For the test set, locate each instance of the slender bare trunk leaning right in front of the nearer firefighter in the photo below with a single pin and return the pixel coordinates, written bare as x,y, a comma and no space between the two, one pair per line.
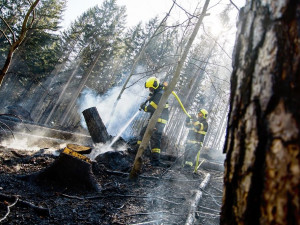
138,159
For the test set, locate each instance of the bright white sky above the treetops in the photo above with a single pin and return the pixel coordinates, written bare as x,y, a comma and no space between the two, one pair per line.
137,10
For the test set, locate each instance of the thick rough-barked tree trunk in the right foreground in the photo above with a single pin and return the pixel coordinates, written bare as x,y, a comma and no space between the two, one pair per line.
262,167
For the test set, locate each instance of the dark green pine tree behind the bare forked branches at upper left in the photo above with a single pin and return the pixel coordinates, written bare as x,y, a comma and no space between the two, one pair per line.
36,57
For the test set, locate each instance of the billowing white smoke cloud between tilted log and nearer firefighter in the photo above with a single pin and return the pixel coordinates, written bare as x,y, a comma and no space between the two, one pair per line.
127,106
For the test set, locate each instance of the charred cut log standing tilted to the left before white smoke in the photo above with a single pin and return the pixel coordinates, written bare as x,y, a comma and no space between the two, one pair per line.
95,125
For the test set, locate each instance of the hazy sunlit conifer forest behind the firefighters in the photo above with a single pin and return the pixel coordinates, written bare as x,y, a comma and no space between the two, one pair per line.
55,74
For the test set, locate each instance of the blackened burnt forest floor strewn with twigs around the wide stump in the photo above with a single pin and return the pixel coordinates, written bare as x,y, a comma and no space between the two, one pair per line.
161,195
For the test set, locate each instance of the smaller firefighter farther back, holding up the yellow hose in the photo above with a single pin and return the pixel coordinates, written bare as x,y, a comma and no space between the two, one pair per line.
197,130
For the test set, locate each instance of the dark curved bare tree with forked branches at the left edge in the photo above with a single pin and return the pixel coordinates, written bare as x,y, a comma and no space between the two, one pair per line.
15,41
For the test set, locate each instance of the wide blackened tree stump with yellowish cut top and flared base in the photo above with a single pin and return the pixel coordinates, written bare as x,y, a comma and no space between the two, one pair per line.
70,170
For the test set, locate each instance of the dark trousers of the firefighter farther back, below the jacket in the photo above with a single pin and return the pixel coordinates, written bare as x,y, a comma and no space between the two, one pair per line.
191,155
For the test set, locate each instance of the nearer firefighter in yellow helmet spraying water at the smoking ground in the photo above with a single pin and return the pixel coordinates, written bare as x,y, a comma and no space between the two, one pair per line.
156,91
